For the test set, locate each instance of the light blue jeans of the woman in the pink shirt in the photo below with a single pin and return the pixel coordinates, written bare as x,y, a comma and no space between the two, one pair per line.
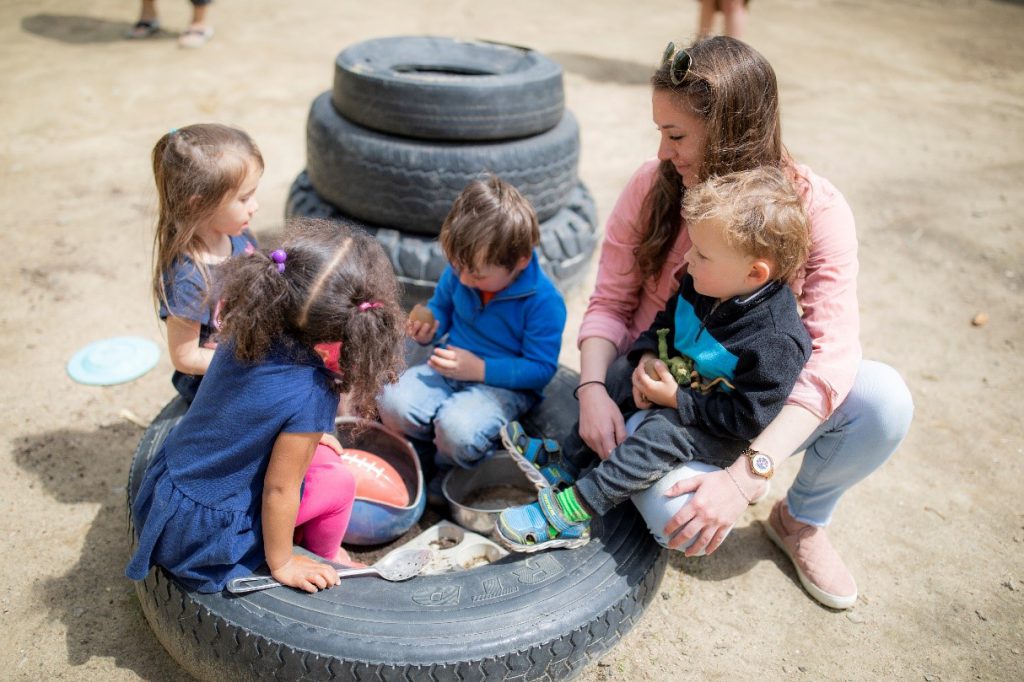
861,437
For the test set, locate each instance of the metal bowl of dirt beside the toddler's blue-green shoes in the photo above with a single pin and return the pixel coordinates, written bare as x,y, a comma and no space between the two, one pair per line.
478,496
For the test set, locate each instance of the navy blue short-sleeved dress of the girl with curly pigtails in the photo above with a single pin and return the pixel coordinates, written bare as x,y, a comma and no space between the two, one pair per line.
198,509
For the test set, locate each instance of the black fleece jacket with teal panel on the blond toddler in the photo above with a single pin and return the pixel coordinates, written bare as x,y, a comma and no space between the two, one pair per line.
756,343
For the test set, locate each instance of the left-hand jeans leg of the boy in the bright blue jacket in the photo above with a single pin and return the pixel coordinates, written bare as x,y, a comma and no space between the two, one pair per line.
411,406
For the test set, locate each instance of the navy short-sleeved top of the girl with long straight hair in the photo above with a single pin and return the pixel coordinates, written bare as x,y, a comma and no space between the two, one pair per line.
189,300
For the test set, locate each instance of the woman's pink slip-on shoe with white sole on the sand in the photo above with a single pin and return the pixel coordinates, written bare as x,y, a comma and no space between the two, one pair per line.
820,567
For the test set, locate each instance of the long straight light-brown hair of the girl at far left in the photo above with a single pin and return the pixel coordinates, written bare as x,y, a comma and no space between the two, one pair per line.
195,168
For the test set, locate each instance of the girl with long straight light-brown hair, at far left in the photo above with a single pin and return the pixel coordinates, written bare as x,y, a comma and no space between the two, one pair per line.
206,179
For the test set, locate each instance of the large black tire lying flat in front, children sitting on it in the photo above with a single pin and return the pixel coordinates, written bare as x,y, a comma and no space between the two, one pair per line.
540,617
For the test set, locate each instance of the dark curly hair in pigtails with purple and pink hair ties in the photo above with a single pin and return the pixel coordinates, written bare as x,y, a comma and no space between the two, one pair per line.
330,270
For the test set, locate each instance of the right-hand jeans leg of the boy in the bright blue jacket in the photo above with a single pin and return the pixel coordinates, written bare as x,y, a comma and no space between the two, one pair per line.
467,425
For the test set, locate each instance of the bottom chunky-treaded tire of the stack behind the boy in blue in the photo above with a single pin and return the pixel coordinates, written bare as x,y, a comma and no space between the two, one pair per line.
568,241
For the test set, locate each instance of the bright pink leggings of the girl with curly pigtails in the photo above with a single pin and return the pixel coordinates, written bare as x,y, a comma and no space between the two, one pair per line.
327,504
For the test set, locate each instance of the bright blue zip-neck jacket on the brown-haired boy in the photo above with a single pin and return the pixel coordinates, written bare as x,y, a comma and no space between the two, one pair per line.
519,334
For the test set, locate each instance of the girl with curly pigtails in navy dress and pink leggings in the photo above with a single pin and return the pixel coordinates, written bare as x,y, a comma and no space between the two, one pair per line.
233,486
